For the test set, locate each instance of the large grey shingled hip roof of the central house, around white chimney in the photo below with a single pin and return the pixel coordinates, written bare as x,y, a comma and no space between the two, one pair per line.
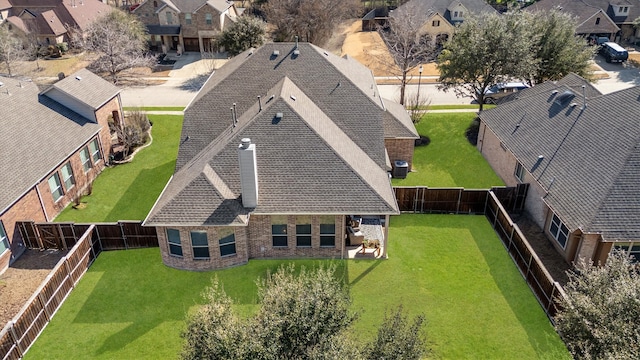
324,155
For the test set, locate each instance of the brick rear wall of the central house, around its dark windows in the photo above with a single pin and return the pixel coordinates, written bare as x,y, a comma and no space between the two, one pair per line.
252,241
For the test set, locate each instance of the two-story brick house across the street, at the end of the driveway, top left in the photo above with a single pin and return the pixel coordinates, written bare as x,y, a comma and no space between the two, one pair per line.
184,25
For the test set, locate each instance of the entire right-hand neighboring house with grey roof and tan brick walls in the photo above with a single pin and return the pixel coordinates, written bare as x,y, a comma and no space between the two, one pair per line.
580,153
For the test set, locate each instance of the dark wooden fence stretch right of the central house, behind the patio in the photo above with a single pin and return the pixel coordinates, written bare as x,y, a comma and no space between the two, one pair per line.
457,200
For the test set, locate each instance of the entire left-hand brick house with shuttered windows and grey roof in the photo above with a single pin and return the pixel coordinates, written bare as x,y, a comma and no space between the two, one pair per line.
54,146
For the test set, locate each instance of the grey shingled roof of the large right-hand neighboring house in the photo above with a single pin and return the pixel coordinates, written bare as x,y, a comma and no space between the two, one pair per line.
590,166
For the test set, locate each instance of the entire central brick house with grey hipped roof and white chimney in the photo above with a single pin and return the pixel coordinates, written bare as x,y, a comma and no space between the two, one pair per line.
278,148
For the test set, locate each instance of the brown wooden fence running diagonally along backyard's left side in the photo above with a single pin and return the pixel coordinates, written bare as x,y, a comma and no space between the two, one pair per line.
19,333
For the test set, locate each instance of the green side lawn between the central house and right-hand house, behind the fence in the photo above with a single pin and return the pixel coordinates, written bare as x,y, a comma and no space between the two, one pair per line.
449,160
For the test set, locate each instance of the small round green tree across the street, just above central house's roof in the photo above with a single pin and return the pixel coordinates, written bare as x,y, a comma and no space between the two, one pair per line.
245,33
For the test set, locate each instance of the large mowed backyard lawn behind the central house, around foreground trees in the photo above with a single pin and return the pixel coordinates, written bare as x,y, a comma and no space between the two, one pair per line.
451,268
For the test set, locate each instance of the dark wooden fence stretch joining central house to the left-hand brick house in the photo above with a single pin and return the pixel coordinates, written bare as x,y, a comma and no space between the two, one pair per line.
107,236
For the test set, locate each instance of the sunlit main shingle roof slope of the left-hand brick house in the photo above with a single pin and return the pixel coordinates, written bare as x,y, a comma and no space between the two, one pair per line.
38,134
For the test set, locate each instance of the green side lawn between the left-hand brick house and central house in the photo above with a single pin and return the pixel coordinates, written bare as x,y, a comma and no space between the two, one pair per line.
128,191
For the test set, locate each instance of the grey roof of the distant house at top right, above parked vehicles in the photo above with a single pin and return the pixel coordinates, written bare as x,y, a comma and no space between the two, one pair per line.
586,12
